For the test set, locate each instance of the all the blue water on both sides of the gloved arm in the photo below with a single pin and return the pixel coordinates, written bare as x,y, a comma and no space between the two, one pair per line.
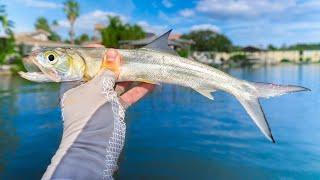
175,133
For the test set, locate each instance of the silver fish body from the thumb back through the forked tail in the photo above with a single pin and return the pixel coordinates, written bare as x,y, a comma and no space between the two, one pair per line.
157,67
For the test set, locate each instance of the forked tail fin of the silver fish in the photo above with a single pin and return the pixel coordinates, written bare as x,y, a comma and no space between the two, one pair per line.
262,90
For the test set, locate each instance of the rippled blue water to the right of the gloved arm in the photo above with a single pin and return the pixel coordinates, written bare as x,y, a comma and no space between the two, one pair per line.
186,131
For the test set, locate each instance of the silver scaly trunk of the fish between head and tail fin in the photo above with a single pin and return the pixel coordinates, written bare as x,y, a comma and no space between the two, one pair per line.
152,66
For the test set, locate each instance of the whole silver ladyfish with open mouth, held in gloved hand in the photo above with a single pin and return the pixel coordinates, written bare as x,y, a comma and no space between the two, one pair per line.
155,63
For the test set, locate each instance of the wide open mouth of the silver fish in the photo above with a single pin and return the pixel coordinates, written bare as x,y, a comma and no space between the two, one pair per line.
36,72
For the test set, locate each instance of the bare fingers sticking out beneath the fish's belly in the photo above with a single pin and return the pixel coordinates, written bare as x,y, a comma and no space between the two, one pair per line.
136,93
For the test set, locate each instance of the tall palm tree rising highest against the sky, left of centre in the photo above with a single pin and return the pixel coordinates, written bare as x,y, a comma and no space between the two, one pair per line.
71,8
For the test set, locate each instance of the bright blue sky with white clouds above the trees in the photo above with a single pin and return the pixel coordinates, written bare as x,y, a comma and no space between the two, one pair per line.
245,22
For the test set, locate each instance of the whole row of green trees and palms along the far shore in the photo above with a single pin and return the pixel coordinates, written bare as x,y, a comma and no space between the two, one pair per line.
116,30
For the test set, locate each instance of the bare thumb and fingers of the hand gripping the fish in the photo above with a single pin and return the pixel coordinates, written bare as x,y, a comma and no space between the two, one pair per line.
128,96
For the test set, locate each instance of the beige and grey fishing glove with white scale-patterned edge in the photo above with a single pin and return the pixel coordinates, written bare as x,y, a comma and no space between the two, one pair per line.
93,131
